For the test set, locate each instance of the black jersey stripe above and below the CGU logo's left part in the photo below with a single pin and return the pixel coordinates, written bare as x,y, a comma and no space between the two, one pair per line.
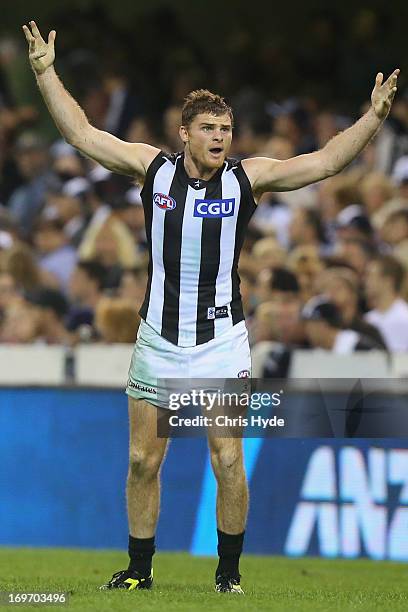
209,265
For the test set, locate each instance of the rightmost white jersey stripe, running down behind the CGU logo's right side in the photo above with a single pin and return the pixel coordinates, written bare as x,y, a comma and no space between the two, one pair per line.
223,286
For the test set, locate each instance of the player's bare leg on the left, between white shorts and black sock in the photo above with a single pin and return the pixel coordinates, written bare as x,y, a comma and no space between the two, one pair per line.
146,454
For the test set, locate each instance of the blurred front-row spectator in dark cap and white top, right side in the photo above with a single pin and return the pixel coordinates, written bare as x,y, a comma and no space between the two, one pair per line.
324,329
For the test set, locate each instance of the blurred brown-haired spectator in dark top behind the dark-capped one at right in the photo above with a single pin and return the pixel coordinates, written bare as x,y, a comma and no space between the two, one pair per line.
341,287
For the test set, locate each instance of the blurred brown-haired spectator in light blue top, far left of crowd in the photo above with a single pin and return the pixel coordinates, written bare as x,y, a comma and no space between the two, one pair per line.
56,256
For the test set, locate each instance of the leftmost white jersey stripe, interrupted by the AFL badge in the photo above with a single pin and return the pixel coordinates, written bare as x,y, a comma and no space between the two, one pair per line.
162,183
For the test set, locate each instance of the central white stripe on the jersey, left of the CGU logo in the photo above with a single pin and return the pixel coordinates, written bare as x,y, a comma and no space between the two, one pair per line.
190,269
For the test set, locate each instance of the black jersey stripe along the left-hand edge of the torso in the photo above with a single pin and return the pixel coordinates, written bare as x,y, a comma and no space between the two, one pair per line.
147,199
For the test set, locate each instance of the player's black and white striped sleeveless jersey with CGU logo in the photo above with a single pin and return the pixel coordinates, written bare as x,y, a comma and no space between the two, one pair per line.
195,230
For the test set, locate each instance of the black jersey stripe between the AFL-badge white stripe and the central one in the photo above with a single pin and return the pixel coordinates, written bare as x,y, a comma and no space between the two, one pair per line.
173,227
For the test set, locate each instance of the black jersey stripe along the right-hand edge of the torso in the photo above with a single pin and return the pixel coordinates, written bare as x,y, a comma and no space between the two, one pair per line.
244,215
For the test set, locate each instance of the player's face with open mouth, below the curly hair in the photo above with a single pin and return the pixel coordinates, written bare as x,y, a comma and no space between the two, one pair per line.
208,138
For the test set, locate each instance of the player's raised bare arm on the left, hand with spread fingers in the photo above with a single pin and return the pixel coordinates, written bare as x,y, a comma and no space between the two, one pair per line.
132,159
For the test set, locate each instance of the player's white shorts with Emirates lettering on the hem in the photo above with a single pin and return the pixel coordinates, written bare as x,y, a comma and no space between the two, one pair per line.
155,359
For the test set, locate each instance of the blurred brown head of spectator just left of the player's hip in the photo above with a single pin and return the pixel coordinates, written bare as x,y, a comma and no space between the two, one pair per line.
116,320
